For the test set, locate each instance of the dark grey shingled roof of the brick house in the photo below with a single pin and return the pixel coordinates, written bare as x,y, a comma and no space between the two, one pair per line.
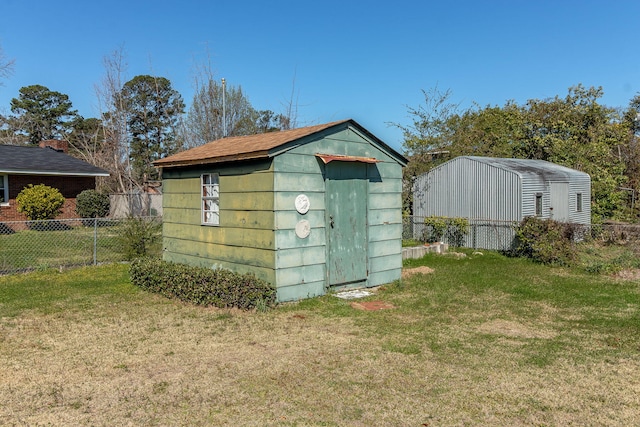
20,159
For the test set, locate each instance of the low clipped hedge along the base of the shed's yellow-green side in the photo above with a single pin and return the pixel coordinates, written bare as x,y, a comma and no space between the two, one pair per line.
202,286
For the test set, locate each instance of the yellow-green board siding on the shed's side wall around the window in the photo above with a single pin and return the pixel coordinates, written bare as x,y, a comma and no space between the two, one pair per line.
244,240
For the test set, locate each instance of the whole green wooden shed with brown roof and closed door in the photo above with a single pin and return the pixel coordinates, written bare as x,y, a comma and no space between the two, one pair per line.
308,209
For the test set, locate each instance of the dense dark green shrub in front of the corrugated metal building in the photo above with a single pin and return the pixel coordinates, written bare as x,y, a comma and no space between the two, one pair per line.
545,241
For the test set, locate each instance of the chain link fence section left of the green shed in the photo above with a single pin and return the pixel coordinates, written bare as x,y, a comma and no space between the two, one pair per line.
34,245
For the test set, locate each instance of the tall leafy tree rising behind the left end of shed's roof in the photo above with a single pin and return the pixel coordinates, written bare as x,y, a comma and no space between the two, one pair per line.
153,111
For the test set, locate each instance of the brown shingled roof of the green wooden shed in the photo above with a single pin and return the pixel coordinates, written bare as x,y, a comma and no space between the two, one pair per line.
255,146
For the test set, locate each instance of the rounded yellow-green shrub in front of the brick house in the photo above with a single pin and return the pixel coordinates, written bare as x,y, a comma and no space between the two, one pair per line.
39,202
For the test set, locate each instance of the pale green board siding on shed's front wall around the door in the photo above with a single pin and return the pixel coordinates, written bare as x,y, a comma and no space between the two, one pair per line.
301,263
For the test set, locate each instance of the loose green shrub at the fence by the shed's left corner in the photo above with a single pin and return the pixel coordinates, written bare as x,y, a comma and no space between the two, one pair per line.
140,237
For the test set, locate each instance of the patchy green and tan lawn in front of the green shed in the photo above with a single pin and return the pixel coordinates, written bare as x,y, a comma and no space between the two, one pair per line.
480,340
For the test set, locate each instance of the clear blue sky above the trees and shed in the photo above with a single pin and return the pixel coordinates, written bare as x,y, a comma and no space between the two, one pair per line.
350,59
